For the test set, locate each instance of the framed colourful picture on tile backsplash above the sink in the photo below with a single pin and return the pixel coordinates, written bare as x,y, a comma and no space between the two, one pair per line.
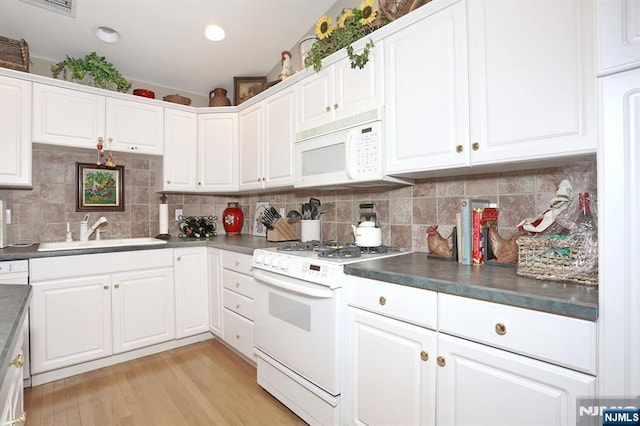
100,188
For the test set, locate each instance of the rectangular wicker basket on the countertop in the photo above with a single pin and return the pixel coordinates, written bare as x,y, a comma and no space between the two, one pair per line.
558,258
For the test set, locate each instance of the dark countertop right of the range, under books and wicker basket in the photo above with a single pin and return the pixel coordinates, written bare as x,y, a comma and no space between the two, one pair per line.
491,283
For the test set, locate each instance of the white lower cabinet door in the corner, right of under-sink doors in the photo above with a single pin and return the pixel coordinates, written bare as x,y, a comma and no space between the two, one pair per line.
192,293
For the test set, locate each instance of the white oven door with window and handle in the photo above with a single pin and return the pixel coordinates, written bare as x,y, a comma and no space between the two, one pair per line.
297,323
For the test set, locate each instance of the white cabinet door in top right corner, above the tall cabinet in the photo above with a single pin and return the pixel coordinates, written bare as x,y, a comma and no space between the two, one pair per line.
618,35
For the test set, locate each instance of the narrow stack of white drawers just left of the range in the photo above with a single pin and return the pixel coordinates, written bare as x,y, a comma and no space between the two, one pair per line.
237,297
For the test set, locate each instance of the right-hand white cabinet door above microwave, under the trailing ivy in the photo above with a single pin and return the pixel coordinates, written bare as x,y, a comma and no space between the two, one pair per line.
359,89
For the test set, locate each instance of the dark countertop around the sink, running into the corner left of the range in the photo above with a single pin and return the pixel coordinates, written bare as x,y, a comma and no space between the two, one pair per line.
243,243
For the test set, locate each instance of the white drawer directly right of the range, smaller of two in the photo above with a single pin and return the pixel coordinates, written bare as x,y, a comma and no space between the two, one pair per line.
408,304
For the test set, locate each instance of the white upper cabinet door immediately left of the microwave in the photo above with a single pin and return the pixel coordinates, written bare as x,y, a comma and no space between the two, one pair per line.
279,122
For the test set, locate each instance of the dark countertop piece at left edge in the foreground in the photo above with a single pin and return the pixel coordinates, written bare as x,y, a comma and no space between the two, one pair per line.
14,303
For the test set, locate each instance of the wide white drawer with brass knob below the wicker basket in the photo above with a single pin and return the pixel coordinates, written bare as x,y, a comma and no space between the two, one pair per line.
558,339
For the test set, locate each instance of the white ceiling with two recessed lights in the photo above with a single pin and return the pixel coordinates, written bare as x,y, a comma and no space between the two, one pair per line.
162,41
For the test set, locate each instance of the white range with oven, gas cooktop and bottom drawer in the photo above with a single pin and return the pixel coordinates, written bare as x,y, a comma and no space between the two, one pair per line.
299,323
